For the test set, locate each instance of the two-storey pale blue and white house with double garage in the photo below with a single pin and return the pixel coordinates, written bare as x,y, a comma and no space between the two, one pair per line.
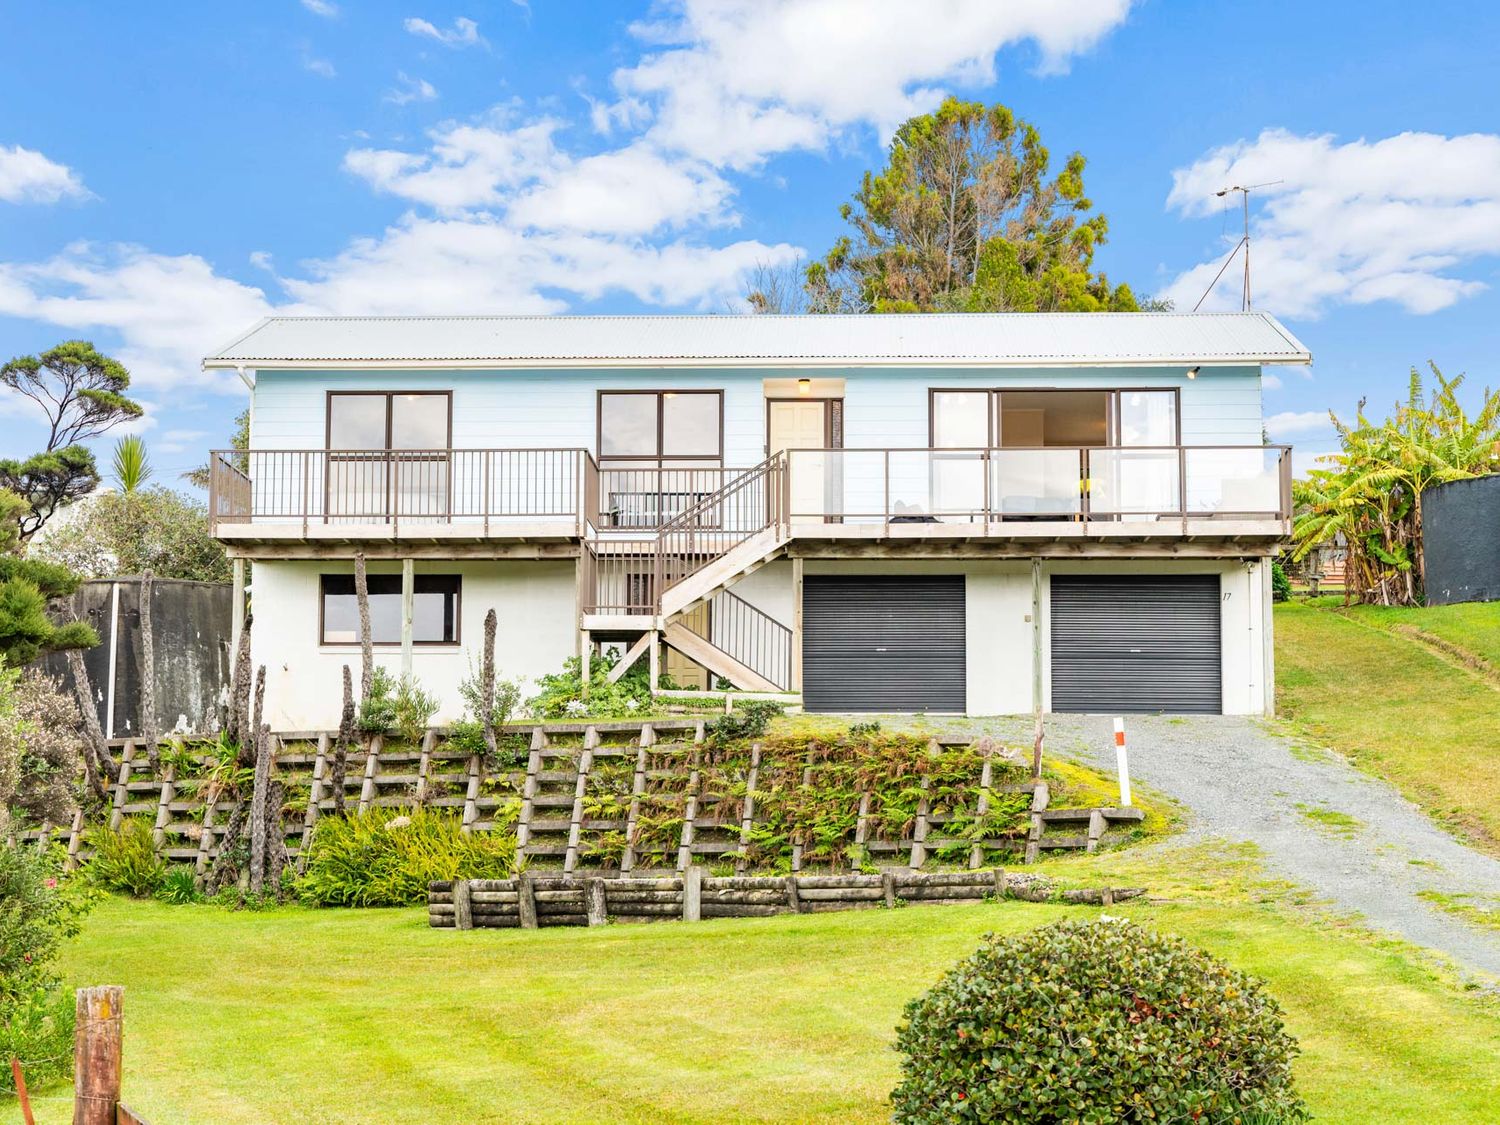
955,514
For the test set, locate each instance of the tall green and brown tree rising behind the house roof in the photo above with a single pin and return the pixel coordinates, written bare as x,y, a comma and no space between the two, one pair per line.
965,217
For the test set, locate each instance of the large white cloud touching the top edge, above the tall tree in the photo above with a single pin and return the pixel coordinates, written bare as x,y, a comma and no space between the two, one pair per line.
733,82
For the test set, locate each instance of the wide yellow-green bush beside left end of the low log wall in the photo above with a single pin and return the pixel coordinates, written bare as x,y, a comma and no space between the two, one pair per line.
376,862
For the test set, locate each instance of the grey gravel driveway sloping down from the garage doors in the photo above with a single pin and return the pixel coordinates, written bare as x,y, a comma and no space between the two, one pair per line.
1241,781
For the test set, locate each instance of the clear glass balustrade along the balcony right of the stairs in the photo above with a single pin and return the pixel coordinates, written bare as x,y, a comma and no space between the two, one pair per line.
1034,485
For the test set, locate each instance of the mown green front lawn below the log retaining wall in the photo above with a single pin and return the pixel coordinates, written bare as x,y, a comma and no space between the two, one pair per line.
368,1015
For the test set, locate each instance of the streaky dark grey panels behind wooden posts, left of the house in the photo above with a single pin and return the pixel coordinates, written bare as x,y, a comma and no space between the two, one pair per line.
191,623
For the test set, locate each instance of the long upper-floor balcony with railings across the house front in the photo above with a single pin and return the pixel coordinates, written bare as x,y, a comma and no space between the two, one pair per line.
563,496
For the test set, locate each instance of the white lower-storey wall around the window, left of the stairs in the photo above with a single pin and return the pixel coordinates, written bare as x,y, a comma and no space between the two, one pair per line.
536,605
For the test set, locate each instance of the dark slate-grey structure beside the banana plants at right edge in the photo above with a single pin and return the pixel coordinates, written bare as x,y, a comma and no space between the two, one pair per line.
1462,541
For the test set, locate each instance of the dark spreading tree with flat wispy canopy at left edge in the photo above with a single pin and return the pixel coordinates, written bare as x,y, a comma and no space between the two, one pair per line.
82,392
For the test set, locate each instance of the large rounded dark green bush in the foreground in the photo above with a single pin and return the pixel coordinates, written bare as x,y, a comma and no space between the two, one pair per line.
1096,1022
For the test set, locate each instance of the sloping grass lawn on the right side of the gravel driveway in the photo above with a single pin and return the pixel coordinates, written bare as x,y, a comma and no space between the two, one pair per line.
1354,682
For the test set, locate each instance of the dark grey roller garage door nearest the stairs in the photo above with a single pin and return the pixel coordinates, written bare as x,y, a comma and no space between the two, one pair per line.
884,644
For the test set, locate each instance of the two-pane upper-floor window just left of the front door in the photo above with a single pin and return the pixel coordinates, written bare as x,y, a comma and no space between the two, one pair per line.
667,428
